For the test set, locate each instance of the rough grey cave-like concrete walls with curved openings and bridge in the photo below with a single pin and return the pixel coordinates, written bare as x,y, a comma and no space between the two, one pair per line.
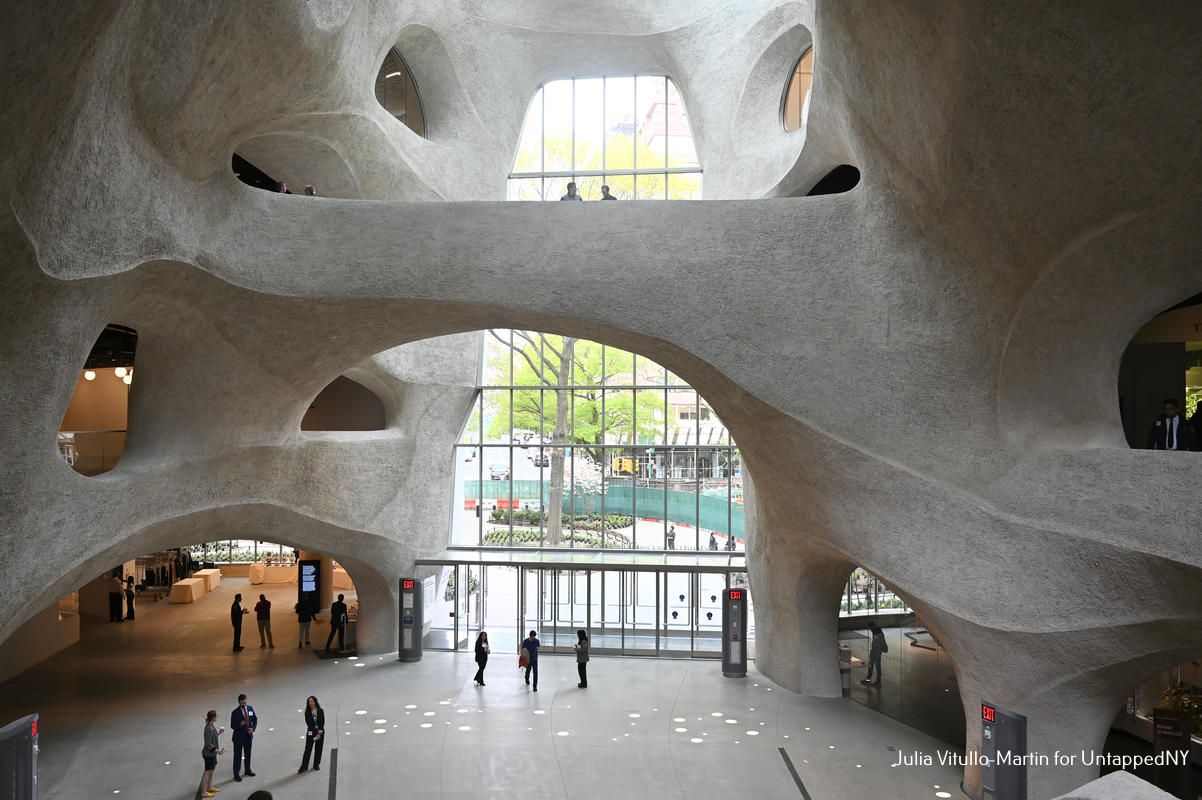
921,373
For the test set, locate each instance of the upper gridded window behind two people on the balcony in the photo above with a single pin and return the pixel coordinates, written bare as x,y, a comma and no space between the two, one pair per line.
629,133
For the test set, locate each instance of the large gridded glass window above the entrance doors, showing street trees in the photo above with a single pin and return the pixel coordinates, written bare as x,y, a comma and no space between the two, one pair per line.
579,445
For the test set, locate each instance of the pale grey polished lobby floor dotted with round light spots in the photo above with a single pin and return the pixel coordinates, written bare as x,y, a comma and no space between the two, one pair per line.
123,715
